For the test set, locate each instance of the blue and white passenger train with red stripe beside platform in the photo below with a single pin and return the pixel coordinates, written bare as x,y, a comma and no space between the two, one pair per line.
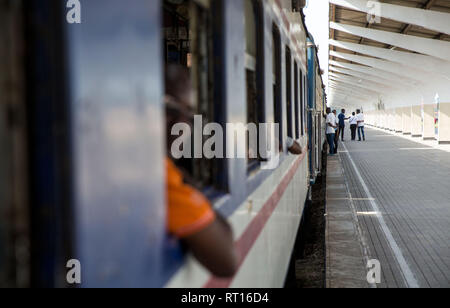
82,136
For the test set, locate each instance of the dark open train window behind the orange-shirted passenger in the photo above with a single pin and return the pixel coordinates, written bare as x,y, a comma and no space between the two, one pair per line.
188,42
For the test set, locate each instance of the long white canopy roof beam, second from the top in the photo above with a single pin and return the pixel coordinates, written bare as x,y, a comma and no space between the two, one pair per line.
435,48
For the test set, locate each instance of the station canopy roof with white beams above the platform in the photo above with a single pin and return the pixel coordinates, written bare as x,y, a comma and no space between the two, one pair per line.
352,35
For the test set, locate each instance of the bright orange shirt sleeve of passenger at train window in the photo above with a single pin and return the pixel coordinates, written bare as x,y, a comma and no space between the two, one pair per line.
188,210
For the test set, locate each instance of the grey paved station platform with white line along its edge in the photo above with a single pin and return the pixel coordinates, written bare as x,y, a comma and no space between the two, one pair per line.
392,195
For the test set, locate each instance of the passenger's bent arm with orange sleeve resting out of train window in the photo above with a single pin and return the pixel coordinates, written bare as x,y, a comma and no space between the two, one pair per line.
191,219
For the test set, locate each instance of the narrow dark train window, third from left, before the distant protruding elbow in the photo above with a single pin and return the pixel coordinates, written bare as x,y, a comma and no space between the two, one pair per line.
276,72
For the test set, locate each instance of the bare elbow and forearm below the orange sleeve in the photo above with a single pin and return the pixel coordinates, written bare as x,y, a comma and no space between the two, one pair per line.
213,247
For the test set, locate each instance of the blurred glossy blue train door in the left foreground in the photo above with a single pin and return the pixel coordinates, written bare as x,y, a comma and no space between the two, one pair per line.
115,78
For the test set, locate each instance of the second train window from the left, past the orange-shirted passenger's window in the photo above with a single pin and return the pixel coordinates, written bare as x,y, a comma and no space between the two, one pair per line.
254,75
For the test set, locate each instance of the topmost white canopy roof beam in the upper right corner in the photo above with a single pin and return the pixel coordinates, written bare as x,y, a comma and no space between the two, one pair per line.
436,21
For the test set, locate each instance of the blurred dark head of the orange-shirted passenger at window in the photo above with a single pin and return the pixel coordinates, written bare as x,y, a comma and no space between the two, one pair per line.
178,98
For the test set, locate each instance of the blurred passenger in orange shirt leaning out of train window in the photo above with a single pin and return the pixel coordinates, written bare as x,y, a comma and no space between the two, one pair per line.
190,216
